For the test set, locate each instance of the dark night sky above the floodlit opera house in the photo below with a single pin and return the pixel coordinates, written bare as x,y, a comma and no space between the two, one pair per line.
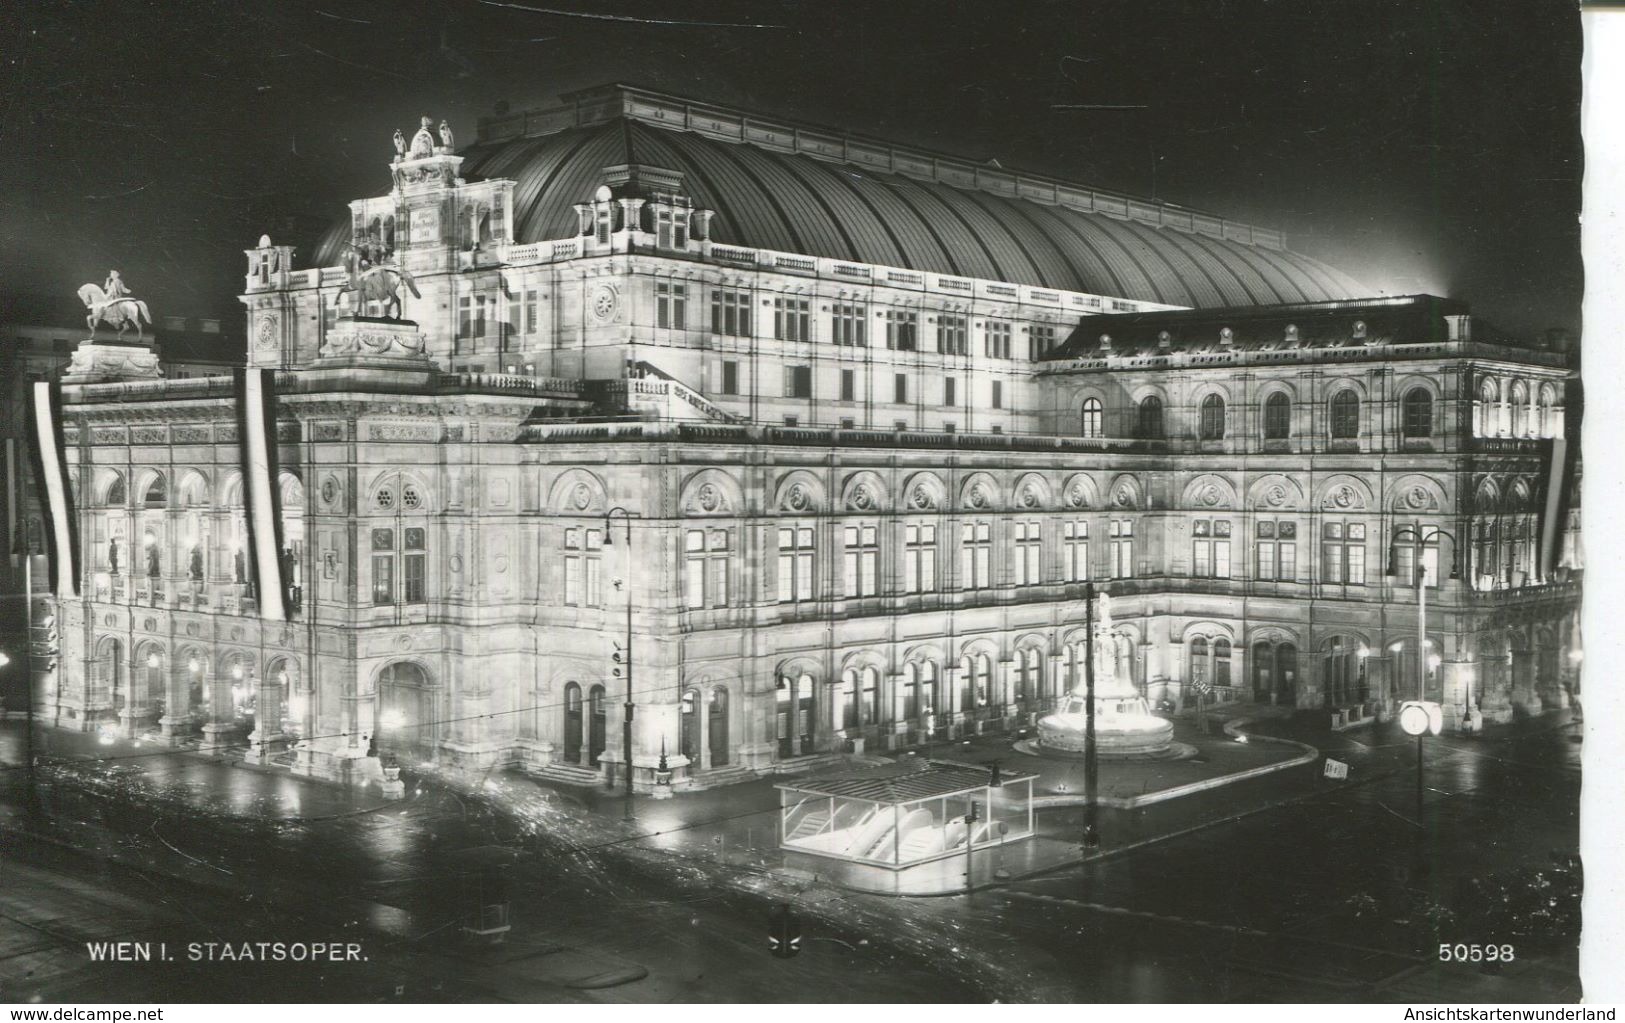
1418,145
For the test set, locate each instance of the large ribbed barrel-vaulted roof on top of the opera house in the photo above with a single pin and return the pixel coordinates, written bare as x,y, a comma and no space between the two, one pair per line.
810,191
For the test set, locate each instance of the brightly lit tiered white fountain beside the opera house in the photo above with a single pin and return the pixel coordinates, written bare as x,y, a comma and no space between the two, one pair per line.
1125,728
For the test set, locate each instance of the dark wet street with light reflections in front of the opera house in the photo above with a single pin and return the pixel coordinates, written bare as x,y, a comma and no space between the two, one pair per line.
1291,887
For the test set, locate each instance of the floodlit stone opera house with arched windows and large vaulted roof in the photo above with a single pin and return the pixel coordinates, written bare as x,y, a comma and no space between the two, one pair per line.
856,423
